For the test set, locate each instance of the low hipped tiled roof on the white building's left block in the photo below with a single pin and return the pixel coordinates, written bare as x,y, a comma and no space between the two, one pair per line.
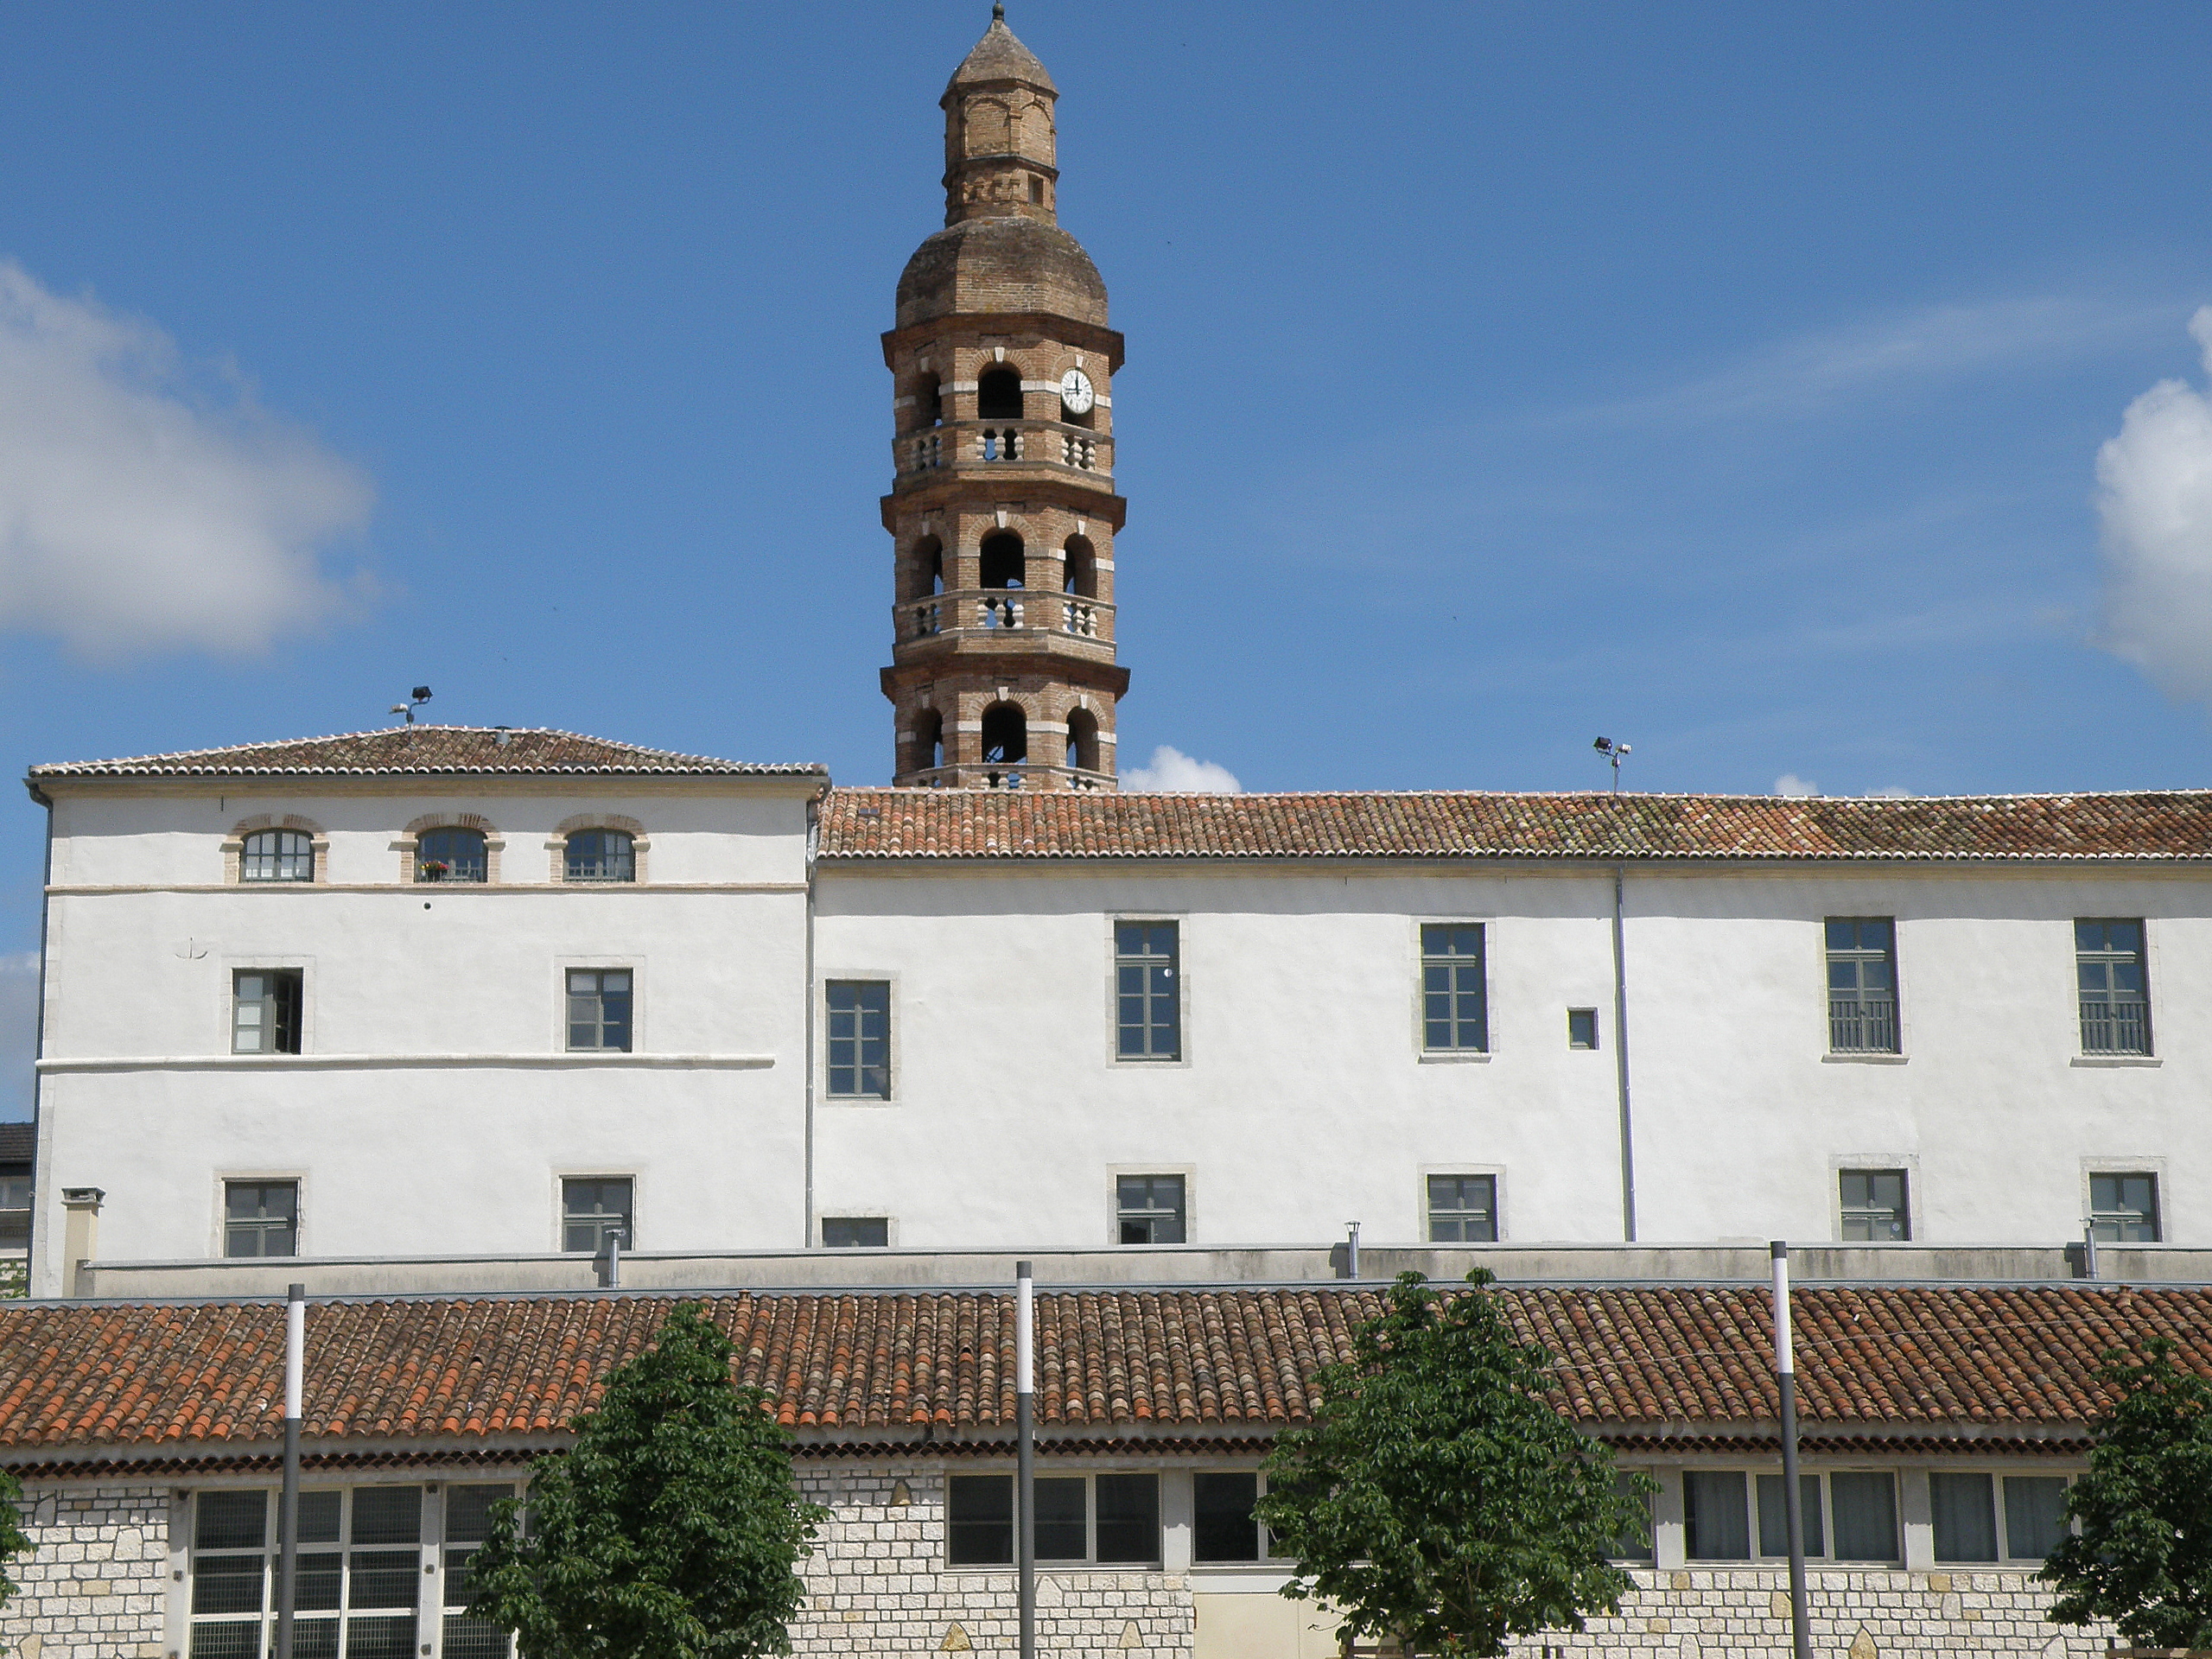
421,749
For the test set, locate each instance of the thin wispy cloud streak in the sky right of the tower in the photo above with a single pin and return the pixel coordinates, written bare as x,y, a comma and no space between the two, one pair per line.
1813,373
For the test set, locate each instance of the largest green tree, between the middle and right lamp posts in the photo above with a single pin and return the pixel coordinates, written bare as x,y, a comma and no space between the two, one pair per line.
1441,1499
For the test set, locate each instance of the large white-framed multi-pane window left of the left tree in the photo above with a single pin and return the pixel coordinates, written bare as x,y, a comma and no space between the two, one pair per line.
362,1572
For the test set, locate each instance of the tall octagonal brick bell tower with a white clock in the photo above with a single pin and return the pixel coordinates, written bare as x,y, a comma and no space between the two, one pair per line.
1003,508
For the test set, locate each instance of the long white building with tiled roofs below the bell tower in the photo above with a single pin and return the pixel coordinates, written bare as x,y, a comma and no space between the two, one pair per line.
477,994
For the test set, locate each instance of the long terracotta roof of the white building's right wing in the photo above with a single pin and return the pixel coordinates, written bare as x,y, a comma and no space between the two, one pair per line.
1008,824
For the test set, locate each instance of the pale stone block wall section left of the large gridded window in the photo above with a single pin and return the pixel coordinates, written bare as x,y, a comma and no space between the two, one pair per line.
96,1585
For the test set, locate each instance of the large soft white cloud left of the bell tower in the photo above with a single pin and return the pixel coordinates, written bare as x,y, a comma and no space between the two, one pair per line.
136,510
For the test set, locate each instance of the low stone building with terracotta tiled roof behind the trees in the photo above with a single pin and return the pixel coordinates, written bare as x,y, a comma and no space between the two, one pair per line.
1941,1428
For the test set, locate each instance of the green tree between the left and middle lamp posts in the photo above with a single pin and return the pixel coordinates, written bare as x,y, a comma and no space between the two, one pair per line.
669,1532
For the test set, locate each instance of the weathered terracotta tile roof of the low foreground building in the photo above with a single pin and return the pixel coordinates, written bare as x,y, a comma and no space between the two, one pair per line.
185,1381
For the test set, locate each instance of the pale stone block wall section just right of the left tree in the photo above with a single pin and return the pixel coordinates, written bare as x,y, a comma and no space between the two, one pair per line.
879,1585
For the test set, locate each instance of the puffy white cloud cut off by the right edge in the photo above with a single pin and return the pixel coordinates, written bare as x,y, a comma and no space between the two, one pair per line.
2156,499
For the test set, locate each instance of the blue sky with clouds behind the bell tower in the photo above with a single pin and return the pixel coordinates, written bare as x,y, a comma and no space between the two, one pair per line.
1802,393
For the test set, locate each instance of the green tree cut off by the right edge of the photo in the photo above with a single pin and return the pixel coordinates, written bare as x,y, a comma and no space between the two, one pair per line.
2145,1547
